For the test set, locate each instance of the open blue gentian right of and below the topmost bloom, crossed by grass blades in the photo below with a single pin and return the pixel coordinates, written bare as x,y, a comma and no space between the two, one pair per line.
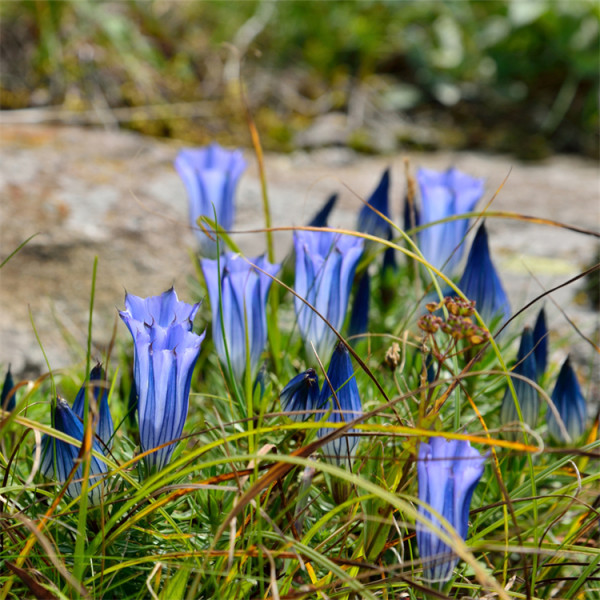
243,296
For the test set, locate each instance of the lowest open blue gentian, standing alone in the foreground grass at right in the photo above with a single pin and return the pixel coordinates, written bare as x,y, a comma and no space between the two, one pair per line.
448,472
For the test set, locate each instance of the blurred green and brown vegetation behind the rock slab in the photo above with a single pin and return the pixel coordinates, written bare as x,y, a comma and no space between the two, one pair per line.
518,76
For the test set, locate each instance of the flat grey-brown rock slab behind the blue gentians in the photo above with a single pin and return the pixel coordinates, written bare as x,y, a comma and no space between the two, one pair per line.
115,195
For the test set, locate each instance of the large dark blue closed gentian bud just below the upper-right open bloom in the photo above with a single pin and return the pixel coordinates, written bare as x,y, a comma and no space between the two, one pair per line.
480,282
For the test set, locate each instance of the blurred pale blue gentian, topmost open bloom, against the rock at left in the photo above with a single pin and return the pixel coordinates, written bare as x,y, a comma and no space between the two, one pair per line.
210,176
